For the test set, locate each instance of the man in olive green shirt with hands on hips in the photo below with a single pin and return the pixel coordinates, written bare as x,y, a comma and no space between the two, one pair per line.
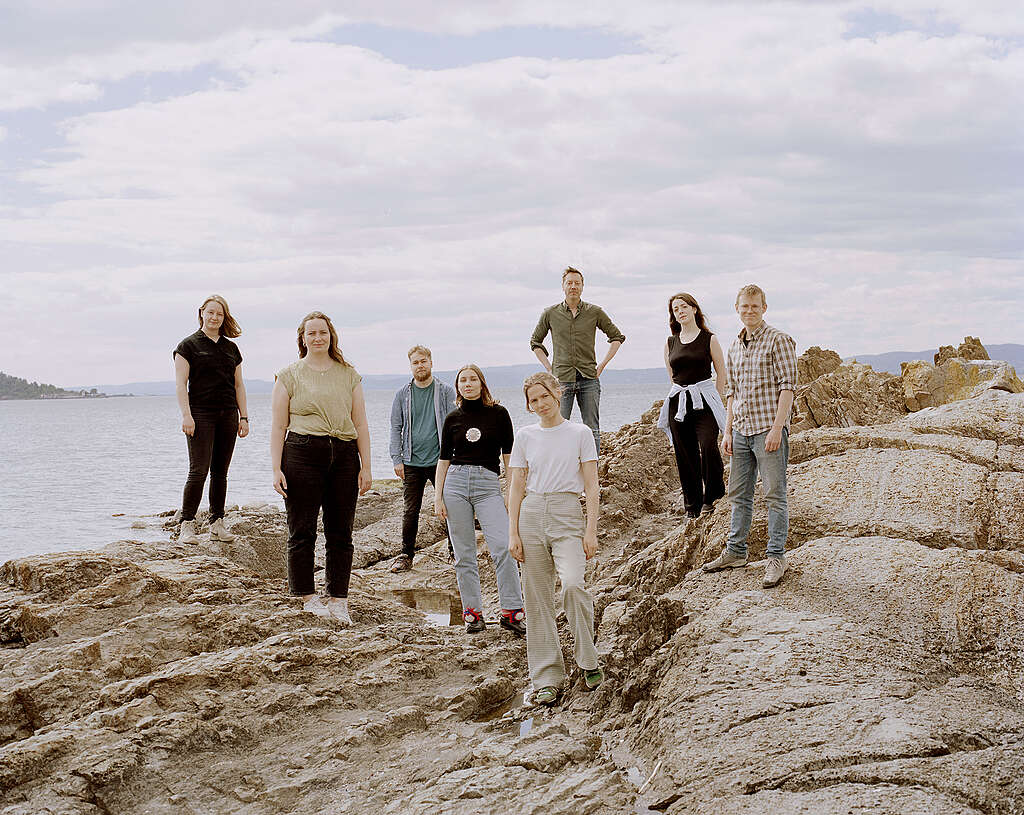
573,325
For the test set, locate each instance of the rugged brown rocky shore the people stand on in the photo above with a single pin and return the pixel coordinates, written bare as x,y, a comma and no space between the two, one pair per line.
884,675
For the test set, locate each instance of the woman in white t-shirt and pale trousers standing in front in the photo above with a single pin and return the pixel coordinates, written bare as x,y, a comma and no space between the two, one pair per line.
552,463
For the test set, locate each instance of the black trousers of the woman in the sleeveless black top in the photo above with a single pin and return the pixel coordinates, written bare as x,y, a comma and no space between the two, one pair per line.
698,457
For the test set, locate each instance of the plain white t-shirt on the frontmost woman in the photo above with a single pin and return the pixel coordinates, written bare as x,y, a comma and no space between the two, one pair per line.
554,456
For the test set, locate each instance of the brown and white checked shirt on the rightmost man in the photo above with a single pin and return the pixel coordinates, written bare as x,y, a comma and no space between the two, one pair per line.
759,371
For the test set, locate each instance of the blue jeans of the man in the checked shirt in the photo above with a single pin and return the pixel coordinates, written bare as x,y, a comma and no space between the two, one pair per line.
749,458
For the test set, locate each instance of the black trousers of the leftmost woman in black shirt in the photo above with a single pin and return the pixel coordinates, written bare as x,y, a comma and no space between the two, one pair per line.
210,450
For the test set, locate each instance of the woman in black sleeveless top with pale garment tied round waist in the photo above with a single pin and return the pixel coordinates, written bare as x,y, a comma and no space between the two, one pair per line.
691,354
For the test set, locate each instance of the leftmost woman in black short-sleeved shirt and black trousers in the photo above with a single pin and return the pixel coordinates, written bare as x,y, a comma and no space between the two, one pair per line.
212,400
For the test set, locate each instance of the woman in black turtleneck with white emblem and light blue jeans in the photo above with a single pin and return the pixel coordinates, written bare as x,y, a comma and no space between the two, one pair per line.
477,437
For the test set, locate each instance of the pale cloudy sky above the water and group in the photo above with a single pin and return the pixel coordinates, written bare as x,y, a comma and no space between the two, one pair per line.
423,173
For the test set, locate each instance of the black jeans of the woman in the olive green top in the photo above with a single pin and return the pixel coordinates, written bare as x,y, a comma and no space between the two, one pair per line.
321,471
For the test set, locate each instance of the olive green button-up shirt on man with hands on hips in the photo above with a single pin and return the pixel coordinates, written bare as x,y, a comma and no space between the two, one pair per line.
573,338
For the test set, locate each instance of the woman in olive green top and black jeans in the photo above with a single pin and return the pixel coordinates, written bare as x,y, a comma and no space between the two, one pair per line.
323,462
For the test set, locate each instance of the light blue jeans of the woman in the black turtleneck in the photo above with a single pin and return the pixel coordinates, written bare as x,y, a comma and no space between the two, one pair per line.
470,491
